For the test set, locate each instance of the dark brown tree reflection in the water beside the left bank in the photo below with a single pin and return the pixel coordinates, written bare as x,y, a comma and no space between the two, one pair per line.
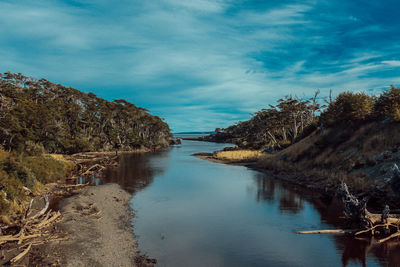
136,170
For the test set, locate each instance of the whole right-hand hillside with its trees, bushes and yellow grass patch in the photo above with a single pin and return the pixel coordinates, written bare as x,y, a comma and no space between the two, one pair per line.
355,139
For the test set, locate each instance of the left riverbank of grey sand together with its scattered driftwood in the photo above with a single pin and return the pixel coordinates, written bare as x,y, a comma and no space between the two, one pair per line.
91,225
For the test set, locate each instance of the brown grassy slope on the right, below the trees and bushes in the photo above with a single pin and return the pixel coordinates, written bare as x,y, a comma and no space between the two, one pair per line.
366,157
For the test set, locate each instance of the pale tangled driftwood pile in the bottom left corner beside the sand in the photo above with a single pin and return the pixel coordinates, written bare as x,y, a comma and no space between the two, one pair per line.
35,228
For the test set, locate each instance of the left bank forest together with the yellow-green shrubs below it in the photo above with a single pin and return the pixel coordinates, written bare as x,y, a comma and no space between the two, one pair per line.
39,117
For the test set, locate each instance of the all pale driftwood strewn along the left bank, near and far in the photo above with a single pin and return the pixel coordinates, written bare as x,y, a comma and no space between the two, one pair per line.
37,226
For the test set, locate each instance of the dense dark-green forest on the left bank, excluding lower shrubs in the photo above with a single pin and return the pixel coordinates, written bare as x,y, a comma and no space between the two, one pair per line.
40,114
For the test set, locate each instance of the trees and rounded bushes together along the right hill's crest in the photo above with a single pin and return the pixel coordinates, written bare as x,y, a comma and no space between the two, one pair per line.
293,118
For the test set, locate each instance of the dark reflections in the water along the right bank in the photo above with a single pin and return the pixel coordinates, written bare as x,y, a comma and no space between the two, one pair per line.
354,250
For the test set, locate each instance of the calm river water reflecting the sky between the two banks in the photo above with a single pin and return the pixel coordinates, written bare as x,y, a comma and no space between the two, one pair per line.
191,212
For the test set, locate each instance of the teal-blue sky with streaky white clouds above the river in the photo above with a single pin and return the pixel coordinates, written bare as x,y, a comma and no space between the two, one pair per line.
203,64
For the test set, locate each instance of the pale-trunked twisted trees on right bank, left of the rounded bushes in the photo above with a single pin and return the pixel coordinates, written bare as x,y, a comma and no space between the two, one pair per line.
276,126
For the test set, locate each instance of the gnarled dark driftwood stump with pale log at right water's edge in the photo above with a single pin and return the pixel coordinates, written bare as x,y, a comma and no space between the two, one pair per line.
363,222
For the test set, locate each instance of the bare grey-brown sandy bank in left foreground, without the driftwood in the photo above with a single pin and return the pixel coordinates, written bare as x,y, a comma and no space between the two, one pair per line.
97,225
